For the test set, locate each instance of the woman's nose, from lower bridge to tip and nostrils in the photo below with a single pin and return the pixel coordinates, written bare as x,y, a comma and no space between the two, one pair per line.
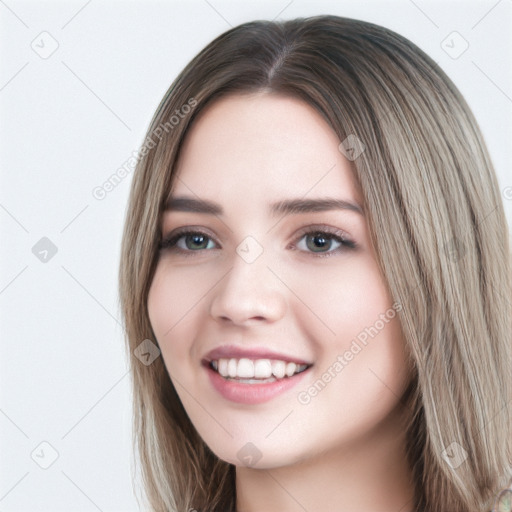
248,293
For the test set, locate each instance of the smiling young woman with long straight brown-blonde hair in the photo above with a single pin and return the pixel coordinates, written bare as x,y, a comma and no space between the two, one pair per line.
316,282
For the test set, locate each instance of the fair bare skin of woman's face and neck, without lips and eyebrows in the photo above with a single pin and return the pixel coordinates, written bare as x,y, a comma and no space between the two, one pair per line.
344,449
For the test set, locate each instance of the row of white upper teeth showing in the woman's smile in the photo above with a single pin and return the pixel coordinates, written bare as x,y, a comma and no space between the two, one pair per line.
262,369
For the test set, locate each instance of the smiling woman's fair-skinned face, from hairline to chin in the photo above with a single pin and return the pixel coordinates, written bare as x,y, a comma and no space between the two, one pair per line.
274,321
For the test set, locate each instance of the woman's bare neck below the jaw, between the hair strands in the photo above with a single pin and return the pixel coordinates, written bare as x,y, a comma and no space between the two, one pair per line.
370,474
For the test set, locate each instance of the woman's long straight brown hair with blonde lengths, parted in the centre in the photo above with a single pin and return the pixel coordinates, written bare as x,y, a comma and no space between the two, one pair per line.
435,218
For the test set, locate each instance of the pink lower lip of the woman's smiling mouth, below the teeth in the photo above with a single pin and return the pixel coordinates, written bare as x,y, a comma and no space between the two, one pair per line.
244,393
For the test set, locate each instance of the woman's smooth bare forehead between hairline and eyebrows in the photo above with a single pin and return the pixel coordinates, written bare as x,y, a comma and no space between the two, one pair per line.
259,147
